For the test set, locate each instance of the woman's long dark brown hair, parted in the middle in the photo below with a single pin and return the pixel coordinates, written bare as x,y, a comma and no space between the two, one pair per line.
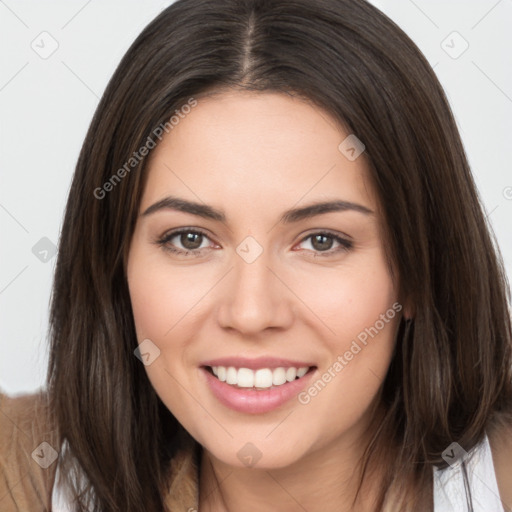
450,376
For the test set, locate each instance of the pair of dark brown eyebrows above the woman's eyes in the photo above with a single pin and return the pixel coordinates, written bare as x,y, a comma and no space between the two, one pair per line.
288,217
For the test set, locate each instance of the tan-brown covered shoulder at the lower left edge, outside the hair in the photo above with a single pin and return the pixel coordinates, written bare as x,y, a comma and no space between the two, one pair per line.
28,452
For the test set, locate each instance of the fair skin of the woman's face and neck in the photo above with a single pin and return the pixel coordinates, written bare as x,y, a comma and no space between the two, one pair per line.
255,155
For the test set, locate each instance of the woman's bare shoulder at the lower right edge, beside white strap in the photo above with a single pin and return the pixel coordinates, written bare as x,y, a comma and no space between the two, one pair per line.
500,440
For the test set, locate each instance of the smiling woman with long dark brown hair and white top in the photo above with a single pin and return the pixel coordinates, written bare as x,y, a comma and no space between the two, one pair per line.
275,289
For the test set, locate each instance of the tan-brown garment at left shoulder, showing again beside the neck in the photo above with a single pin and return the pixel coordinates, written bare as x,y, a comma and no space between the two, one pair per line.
26,485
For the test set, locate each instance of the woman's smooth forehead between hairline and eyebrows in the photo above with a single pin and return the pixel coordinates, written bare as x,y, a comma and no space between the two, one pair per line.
256,149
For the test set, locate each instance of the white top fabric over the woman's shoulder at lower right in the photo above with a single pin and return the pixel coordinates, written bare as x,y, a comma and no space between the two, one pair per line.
449,491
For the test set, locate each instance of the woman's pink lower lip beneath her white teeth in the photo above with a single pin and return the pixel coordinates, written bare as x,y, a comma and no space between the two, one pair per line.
253,401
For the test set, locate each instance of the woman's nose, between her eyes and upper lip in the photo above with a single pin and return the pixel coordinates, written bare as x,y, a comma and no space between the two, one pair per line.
255,297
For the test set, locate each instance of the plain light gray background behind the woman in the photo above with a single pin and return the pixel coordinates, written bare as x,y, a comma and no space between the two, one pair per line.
46,105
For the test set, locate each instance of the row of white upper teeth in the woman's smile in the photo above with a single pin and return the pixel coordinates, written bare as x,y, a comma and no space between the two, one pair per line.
263,378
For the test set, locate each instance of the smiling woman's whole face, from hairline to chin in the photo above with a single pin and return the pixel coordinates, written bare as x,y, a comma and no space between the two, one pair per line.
239,286
